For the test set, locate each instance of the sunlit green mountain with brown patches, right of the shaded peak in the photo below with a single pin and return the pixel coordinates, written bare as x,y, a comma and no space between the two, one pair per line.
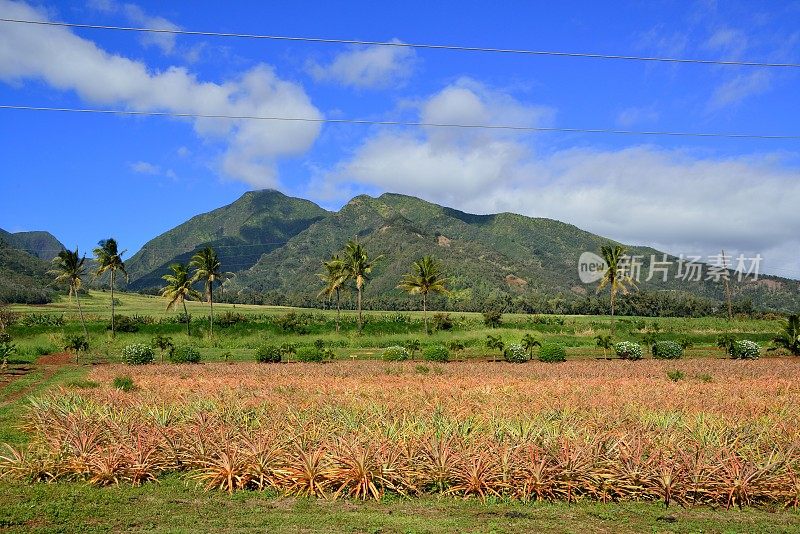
505,260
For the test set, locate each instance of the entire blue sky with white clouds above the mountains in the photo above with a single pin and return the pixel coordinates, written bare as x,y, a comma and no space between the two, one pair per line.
86,177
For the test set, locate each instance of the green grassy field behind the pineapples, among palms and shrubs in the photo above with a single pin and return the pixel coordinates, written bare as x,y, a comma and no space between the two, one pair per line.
261,324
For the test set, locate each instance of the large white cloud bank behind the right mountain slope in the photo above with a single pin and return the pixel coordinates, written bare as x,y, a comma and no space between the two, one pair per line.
676,200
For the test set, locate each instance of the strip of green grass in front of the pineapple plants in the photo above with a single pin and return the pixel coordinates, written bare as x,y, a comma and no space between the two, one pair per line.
173,506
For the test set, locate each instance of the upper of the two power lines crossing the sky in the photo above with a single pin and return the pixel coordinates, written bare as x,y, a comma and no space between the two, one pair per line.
408,45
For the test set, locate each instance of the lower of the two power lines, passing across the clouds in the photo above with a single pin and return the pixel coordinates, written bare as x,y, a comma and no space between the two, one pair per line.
403,123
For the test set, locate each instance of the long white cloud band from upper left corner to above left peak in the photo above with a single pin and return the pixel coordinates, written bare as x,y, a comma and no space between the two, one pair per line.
68,62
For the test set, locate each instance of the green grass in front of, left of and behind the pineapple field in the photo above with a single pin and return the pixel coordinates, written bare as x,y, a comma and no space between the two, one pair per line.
174,505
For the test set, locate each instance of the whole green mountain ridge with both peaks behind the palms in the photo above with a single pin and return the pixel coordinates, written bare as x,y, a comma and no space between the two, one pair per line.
276,243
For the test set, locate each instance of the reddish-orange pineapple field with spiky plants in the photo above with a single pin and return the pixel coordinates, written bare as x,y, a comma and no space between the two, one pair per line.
725,434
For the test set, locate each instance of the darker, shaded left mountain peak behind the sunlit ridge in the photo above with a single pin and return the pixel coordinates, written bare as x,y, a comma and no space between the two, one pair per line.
241,232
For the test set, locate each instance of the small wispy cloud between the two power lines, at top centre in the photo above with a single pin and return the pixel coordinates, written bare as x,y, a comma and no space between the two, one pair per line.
367,67
